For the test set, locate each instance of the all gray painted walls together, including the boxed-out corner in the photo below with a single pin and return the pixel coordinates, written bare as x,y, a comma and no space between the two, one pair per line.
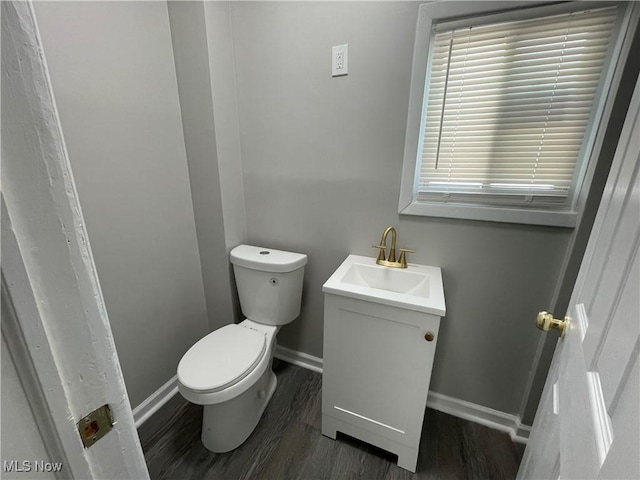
279,154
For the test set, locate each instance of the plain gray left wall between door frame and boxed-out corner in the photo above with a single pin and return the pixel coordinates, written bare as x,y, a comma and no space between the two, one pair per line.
114,80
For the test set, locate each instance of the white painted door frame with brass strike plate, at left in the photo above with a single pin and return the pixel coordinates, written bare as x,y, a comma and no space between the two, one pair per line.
54,323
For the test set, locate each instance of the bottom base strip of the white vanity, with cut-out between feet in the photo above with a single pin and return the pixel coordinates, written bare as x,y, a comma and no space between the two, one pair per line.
407,455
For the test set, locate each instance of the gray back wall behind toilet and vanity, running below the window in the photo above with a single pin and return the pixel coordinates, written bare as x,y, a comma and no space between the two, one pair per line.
322,159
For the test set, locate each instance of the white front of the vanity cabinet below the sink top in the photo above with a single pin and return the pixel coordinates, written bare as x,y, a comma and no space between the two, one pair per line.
376,373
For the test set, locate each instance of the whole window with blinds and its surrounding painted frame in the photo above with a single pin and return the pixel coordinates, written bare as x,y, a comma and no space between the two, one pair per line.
510,106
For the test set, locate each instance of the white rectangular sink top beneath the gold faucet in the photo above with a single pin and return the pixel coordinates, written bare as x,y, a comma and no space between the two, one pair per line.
417,287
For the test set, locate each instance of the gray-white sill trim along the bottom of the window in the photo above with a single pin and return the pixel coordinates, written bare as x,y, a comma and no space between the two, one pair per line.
526,216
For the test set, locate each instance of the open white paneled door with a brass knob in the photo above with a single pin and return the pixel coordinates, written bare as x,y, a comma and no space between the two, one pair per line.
588,423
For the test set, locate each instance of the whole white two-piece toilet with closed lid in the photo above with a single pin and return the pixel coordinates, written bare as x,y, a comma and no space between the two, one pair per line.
229,371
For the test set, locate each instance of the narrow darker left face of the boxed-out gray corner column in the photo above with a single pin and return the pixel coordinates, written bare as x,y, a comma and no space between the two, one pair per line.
189,39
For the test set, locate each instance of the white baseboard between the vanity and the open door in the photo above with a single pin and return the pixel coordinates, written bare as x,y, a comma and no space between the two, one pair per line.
488,417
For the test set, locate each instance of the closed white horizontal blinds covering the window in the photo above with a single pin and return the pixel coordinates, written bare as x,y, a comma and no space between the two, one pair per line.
508,105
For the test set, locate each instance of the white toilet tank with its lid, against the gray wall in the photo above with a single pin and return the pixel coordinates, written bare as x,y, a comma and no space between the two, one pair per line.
269,283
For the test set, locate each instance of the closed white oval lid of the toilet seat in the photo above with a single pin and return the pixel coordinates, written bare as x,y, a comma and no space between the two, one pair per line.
222,358
